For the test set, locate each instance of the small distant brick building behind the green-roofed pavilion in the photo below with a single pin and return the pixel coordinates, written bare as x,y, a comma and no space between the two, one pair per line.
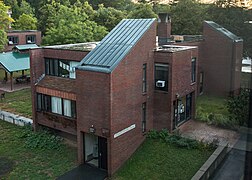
22,37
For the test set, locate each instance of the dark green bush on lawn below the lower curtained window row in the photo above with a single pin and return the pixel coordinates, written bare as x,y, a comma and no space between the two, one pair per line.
41,140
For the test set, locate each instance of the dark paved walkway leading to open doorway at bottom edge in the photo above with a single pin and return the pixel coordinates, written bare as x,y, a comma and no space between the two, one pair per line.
84,172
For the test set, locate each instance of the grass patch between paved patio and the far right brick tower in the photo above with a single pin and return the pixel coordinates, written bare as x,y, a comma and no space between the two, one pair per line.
212,104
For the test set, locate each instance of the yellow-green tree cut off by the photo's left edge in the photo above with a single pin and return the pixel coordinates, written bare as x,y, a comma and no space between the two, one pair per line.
5,21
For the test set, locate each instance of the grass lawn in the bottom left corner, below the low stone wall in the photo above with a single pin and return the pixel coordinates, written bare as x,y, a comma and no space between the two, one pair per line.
26,163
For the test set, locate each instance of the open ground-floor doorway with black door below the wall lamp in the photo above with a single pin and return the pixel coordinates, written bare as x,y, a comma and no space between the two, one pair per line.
95,150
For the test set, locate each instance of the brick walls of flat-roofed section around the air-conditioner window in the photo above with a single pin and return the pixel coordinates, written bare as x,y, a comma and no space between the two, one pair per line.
179,83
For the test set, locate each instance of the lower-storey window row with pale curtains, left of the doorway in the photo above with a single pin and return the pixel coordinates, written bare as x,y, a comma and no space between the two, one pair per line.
56,105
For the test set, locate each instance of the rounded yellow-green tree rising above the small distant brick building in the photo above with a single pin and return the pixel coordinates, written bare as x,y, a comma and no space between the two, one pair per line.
25,22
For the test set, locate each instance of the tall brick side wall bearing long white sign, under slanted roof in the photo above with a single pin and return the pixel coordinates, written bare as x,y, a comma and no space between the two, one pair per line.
127,99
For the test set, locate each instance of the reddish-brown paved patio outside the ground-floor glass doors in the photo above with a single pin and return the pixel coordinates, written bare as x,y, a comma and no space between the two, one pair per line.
202,131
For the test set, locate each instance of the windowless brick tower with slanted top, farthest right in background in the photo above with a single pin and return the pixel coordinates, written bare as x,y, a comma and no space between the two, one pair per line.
219,57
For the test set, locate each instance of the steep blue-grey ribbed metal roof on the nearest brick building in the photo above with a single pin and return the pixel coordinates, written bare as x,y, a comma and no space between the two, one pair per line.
116,45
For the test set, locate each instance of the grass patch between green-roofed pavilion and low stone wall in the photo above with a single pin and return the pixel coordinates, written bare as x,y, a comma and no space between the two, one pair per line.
18,102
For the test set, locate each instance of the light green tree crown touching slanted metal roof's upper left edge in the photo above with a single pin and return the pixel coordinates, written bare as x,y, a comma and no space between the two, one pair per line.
108,17
